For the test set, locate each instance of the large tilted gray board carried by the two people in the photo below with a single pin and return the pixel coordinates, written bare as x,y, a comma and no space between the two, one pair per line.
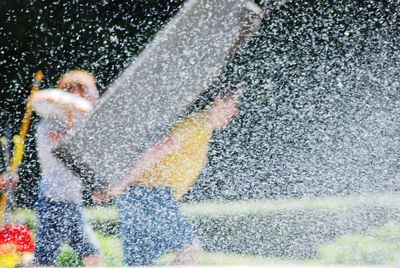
147,98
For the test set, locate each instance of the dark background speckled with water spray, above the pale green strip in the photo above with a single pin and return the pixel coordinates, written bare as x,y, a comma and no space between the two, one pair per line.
319,112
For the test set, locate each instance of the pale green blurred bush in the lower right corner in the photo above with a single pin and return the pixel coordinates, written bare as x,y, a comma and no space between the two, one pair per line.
377,246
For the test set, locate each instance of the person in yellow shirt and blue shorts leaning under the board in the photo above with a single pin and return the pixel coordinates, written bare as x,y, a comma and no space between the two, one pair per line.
151,221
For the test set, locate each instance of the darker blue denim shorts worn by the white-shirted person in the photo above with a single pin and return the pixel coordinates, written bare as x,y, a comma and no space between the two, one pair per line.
62,222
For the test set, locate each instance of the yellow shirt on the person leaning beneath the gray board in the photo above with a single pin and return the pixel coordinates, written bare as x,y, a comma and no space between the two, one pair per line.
179,168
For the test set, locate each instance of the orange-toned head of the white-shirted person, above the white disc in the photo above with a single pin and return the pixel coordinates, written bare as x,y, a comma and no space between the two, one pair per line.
81,83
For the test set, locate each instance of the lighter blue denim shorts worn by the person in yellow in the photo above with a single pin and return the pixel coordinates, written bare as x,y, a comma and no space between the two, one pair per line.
151,225
